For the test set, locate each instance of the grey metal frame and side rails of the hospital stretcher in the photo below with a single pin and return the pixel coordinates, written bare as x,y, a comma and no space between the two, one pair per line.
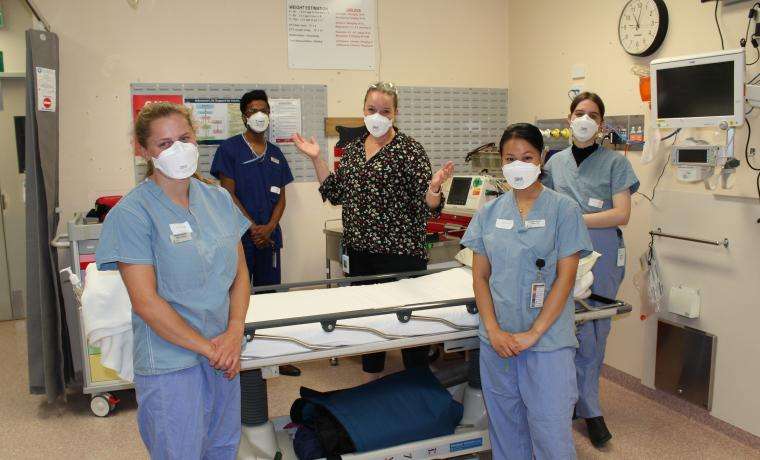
466,440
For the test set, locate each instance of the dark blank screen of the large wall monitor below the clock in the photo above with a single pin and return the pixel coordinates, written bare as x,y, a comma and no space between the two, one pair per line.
705,90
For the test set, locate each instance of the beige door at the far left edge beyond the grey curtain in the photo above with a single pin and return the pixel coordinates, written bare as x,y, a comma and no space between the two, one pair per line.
12,203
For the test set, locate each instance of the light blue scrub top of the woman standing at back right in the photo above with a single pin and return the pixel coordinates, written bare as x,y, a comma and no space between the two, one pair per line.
592,184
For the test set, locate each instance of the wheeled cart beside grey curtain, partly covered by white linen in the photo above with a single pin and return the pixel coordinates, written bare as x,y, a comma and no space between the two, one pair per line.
97,380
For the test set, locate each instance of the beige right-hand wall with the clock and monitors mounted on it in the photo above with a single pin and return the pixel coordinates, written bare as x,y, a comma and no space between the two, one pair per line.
544,44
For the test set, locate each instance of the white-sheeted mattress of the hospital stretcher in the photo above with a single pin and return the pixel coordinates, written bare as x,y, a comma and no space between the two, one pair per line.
443,286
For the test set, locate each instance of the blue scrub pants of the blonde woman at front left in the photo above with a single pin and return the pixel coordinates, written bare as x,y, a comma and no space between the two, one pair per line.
193,413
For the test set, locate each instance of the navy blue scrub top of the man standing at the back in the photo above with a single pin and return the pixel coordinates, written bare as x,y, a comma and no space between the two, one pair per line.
258,180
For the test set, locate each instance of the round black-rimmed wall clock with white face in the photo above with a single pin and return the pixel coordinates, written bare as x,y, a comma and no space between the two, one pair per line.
642,26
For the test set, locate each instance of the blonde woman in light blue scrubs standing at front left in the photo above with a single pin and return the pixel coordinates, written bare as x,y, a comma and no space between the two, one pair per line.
175,239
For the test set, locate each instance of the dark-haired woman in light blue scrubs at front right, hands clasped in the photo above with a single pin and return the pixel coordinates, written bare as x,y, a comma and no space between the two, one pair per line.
526,246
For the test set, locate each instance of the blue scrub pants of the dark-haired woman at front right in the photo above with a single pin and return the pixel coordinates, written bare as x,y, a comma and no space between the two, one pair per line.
530,401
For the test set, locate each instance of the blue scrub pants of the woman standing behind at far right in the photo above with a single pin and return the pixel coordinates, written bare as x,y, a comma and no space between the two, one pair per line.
592,335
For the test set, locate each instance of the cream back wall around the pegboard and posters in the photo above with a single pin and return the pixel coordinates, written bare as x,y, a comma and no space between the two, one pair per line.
105,46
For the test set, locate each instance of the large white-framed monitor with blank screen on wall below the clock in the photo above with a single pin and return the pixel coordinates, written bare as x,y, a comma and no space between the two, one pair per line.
699,91
